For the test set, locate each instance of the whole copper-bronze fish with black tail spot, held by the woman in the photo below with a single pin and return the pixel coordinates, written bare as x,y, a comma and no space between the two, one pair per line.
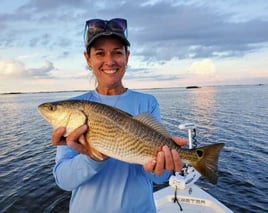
133,139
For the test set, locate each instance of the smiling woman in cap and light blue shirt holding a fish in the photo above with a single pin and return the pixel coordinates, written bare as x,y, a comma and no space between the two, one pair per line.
103,184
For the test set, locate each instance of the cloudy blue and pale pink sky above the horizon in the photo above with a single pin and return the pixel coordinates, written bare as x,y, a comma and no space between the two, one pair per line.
174,43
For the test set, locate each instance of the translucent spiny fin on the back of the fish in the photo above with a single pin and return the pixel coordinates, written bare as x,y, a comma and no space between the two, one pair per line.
148,120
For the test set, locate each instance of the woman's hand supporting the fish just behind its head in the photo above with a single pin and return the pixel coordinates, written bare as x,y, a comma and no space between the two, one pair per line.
76,140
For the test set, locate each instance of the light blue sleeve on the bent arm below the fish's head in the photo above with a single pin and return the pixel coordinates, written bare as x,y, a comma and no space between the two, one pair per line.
73,169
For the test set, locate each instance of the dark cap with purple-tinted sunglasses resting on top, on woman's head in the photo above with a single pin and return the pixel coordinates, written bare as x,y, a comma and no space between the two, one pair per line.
95,28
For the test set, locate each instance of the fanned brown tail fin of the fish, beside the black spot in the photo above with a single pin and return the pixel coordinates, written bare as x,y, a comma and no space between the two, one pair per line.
207,163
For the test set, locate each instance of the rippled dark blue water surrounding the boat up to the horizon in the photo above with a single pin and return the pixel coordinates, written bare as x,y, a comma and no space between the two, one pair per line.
234,115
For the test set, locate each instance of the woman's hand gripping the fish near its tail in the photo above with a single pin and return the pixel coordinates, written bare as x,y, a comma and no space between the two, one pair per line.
166,159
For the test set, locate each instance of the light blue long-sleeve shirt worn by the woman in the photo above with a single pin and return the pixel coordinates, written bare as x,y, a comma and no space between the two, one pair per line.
111,185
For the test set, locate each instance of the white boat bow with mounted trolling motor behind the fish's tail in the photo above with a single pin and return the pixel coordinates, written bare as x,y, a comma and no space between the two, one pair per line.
182,194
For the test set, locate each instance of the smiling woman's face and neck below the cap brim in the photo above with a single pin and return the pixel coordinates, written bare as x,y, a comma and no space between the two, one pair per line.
108,59
